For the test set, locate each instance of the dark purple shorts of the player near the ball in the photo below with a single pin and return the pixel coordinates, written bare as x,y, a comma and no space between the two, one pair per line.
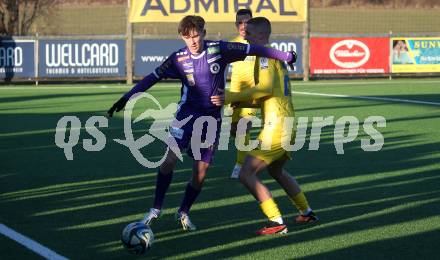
193,128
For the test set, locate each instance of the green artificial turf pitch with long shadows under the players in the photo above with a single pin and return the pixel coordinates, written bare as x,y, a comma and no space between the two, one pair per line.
372,205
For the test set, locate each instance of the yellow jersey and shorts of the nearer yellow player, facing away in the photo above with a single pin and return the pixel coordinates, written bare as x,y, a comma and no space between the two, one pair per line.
273,93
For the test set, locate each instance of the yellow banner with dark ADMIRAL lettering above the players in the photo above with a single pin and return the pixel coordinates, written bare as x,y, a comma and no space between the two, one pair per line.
216,10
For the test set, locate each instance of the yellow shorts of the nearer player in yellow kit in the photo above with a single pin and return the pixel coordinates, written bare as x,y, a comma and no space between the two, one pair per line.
271,148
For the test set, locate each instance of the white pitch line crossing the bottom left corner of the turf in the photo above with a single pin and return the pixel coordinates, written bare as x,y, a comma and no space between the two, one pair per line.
30,244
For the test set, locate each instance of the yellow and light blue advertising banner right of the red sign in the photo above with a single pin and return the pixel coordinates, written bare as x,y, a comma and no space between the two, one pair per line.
415,54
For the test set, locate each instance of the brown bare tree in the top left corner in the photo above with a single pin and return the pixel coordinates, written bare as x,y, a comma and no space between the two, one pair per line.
18,16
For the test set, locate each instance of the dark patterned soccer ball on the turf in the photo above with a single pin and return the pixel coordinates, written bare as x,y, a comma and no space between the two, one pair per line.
137,237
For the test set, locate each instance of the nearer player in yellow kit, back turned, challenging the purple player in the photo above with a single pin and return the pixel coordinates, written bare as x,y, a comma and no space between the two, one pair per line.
273,92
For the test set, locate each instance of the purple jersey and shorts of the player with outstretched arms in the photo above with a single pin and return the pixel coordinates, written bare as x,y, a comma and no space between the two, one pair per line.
202,76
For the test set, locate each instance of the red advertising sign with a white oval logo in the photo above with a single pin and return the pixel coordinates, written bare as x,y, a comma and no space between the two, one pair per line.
349,55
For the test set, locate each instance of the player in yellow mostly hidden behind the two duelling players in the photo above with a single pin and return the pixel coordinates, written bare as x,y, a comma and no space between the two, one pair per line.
242,77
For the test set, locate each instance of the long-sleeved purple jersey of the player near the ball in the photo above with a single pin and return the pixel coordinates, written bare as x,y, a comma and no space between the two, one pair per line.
203,75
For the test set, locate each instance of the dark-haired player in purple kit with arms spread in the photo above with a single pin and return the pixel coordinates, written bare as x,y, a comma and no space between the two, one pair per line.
200,66
